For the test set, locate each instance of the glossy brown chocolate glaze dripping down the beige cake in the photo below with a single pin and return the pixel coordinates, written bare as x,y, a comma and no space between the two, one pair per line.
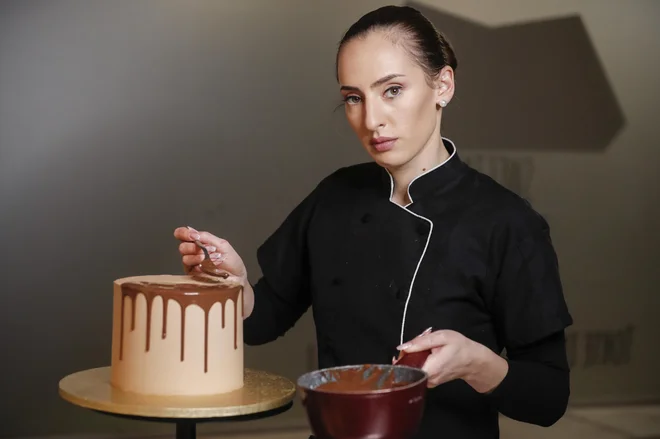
204,295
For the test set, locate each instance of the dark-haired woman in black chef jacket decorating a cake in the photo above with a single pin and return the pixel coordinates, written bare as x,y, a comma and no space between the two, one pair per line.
416,239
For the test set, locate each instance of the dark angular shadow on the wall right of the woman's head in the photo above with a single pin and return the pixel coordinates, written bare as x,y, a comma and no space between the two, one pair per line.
532,87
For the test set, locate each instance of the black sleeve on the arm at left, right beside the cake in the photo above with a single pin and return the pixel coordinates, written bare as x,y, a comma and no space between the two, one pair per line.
281,295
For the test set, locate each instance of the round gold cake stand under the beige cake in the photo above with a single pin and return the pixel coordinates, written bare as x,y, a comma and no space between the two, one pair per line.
262,395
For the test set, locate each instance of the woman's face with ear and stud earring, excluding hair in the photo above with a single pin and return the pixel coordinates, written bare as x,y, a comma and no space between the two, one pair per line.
389,101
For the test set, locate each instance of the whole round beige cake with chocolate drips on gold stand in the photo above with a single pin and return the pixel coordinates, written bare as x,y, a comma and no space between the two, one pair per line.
177,335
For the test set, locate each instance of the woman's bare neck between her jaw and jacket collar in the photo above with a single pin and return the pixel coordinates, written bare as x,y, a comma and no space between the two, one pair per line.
429,157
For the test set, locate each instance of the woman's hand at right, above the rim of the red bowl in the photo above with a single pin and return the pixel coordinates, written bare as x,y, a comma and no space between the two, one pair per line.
454,356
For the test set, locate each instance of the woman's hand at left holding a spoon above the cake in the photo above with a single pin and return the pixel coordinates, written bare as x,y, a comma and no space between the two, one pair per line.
222,253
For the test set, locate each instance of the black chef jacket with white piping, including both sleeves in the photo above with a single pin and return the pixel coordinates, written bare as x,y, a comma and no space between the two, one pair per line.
466,254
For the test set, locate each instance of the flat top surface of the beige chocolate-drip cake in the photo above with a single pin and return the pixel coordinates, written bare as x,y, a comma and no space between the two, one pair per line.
178,283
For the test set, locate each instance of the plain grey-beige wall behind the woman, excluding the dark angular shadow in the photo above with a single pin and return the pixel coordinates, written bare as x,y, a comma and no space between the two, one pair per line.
122,120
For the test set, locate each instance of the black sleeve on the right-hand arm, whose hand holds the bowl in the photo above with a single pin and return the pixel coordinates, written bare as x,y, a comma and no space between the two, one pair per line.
530,317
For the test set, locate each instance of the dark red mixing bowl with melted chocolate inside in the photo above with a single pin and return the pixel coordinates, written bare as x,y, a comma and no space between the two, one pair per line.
367,401
